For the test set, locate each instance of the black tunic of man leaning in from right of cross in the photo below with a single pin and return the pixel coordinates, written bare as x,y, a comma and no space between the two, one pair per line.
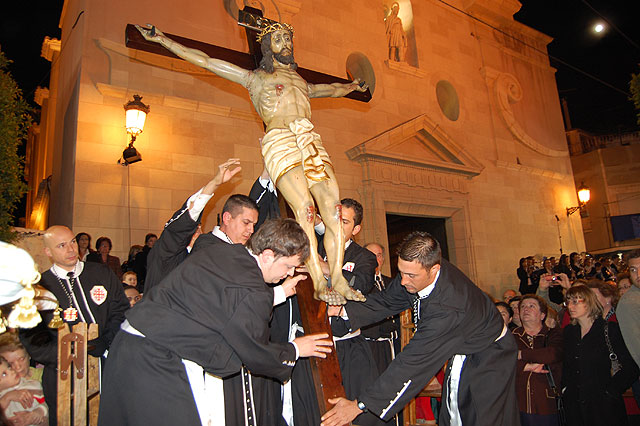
456,318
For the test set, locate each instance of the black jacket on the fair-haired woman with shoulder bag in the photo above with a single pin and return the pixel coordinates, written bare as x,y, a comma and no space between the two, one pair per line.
591,395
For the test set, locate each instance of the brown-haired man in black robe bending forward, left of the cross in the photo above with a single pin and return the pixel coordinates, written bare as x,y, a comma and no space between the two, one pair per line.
209,315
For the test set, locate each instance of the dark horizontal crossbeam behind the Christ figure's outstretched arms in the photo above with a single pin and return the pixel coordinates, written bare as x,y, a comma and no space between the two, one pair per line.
247,61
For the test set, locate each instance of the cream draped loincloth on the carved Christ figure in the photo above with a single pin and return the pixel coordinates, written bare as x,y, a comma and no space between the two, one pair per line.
284,149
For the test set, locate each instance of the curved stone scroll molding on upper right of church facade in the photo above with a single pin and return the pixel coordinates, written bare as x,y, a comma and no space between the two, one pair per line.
506,91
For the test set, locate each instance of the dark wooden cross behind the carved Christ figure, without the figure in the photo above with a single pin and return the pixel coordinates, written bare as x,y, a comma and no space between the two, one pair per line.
326,372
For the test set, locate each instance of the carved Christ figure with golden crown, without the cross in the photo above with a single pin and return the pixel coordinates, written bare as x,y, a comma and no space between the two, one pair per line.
293,154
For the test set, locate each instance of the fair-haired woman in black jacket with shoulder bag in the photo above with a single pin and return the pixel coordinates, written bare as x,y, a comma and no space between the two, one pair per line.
592,394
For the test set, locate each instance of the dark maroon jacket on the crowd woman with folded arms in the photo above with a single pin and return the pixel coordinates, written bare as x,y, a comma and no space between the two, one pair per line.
534,393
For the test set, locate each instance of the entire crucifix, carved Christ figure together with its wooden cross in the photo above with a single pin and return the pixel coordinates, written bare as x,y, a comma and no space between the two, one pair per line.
293,154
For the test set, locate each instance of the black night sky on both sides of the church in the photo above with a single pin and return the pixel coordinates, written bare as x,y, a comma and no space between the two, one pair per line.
593,105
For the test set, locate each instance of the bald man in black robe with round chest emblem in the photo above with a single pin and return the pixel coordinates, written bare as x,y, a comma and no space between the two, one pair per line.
86,292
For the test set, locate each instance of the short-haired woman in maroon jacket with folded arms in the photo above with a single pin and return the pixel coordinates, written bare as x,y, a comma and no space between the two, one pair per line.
539,354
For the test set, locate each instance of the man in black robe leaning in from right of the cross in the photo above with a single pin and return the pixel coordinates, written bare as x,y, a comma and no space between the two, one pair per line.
456,321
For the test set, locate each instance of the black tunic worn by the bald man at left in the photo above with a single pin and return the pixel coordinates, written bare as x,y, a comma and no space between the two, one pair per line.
41,342
